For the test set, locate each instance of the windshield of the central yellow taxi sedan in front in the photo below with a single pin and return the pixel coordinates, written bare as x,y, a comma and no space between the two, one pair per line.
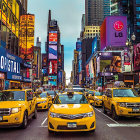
71,99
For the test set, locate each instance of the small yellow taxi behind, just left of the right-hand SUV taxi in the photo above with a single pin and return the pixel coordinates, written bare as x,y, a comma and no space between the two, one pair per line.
97,97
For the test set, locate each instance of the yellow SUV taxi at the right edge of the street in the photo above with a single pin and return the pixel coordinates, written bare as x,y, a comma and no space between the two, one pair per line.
121,102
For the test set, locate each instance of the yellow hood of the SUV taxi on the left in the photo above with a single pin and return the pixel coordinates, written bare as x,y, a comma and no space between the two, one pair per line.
11,104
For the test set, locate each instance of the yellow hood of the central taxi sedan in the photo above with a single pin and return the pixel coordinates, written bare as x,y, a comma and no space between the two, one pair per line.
71,108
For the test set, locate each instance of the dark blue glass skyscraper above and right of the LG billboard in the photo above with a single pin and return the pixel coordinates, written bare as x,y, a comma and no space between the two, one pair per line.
131,9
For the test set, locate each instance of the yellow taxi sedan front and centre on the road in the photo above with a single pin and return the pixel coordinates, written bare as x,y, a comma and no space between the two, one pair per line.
70,112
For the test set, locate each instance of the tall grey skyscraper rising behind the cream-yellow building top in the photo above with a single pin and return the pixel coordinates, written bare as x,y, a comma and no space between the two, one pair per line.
94,12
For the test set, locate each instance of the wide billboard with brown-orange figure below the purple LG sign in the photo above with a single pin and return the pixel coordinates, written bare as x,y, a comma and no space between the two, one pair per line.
109,62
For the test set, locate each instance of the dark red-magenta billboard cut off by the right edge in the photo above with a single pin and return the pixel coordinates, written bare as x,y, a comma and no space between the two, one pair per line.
137,57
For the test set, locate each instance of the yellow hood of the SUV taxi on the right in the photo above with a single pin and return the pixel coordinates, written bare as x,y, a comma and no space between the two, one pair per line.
127,99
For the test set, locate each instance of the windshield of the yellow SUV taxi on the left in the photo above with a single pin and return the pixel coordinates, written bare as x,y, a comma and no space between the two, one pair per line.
12,96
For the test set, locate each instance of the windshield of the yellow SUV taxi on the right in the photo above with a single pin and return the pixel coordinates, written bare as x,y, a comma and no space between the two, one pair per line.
124,93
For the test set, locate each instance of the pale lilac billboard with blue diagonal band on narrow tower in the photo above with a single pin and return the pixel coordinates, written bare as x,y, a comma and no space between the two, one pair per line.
52,51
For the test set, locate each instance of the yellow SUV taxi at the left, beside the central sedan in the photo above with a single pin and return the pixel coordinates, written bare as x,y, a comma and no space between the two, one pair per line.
16,107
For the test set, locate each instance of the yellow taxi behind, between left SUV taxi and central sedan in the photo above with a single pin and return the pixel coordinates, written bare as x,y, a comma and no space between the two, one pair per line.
43,101
